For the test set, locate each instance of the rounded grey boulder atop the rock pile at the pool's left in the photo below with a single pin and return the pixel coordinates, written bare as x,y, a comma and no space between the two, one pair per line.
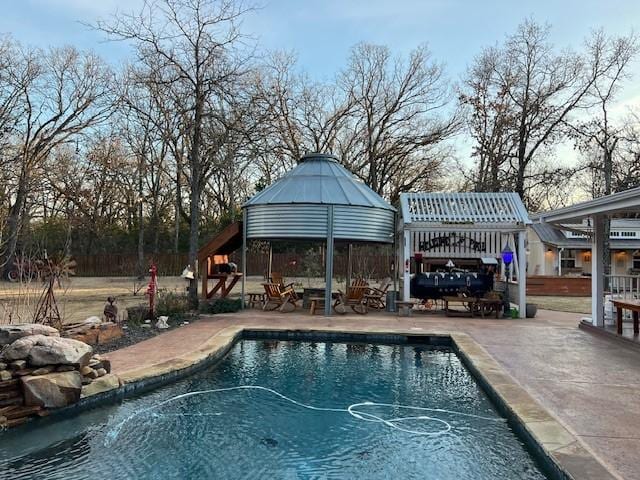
40,350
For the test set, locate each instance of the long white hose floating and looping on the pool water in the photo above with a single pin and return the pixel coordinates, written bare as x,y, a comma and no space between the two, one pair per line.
351,410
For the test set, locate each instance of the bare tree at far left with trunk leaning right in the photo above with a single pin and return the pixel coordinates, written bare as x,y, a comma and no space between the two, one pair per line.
63,92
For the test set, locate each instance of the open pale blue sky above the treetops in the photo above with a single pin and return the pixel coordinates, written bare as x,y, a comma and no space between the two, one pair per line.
321,32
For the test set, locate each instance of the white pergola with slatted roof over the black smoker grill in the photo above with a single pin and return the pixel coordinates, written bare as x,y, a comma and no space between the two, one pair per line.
463,225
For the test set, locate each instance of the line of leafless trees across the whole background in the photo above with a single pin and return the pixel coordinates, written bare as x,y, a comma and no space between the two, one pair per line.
155,155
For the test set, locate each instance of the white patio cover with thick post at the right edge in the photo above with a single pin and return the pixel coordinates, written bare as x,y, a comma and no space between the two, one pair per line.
596,210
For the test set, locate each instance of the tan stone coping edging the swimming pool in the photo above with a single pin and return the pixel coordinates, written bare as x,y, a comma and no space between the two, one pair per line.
559,452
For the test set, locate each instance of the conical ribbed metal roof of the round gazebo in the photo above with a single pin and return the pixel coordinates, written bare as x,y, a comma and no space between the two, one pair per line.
319,179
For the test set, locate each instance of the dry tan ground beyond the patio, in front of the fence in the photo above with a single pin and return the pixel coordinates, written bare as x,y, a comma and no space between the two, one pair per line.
82,297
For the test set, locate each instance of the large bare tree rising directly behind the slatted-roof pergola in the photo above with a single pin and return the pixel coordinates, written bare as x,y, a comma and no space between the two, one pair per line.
519,97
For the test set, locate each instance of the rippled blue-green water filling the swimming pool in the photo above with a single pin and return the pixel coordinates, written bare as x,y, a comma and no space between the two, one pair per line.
305,410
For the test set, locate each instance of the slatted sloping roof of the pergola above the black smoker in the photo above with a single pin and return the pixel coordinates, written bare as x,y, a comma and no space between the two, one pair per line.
486,210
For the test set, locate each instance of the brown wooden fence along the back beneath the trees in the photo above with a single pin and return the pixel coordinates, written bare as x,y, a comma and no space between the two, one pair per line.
169,264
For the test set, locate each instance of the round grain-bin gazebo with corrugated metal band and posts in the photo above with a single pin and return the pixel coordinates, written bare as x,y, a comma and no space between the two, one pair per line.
317,200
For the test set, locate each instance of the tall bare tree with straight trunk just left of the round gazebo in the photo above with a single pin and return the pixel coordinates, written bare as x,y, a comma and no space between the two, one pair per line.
194,43
